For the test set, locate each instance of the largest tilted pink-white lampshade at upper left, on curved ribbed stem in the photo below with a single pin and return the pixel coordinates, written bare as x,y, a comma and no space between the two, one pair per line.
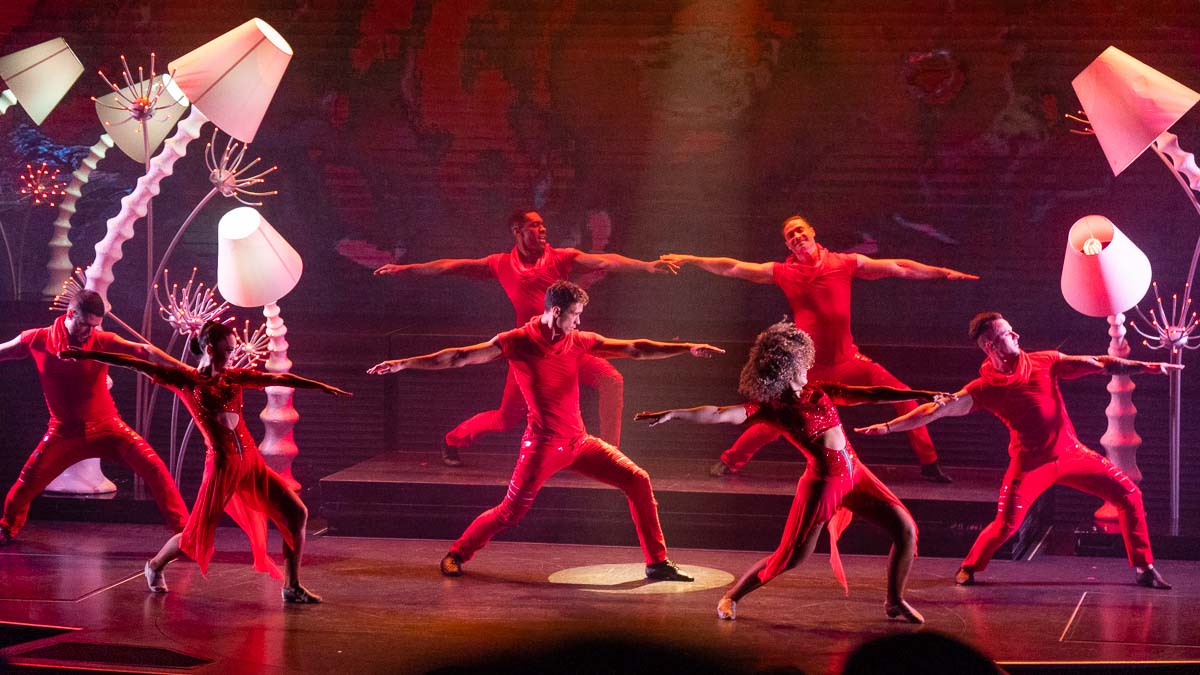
233,77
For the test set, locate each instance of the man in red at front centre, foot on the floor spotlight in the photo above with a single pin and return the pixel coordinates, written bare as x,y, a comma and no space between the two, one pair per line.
547,356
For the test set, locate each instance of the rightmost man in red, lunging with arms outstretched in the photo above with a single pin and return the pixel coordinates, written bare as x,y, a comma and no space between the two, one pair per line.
1022,390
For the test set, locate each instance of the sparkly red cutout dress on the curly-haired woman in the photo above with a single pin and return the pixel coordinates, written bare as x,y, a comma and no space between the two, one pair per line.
835,485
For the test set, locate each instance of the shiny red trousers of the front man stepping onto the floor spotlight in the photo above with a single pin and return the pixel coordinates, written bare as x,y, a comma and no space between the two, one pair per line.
589,456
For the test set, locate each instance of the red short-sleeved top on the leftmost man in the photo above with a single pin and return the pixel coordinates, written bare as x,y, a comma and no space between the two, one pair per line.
76,392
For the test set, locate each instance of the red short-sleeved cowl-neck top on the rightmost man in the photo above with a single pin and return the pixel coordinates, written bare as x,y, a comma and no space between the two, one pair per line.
1030,404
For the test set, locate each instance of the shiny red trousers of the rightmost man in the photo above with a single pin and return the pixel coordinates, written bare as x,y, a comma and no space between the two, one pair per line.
1083,470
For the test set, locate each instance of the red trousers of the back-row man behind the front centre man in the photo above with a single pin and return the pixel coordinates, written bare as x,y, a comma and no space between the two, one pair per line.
595,373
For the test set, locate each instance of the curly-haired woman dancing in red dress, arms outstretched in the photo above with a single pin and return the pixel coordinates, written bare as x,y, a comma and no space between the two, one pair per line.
836,485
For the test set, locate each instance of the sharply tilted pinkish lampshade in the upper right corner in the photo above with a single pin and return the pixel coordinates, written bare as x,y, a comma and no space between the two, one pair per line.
1130,105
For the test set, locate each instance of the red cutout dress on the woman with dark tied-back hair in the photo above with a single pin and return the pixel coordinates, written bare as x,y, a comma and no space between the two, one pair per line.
237,480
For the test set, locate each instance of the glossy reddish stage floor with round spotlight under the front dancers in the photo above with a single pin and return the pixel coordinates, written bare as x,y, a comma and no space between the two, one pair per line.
388,610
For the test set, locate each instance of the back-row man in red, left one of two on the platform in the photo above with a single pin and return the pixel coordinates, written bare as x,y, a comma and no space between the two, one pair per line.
525,273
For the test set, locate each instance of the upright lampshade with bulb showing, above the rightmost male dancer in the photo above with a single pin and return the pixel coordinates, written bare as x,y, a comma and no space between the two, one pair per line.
1103,273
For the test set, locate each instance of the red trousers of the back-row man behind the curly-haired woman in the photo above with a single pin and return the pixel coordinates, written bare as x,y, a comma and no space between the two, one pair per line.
860,371
